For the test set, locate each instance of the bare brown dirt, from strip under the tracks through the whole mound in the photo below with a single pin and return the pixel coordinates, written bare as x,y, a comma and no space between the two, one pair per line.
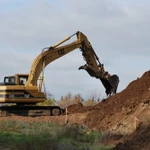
126,114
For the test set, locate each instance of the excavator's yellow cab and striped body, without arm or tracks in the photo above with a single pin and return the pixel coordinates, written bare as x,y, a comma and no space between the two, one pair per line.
14,90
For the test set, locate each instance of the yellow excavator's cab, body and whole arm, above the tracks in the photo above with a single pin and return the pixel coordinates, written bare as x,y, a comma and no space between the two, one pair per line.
27,88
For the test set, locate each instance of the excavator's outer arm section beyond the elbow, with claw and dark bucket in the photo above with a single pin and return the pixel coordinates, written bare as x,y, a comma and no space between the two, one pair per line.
96,69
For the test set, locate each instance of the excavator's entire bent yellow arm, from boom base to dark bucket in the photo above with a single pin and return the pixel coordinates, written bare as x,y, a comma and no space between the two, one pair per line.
92,66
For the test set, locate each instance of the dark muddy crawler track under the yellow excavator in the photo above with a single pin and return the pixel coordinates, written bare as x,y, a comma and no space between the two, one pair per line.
30,111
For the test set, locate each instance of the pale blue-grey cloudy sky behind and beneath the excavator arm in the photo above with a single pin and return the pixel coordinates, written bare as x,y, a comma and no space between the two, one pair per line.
119,32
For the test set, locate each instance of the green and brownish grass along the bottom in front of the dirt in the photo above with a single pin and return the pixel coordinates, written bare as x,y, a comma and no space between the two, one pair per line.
17,135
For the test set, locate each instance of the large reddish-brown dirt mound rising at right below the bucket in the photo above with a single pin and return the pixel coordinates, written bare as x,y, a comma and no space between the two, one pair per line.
122,113
